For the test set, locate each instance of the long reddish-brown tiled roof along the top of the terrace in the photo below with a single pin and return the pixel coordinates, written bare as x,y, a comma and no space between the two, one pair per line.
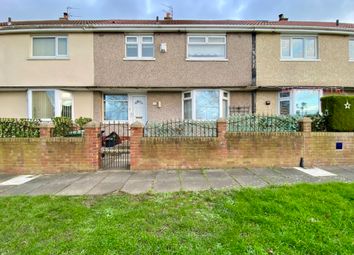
250,24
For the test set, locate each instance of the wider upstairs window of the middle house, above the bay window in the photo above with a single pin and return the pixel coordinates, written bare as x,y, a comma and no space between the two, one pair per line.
206,47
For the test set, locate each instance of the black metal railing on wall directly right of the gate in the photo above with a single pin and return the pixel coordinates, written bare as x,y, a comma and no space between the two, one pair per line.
181,128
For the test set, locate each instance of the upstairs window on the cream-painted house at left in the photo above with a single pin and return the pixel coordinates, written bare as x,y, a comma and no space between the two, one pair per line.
49,47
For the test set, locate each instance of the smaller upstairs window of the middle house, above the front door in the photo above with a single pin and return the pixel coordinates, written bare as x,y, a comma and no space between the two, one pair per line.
139,47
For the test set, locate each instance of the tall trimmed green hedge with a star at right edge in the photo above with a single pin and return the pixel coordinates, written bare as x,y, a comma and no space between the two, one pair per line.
338,117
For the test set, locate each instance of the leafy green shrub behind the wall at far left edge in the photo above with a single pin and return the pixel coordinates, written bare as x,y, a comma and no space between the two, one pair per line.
19,128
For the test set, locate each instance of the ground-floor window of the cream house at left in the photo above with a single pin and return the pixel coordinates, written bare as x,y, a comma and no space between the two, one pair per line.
46,104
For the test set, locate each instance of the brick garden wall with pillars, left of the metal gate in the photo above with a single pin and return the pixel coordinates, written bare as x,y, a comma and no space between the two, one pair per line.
52,154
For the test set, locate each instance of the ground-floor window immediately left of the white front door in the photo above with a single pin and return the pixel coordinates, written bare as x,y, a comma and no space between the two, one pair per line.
116,107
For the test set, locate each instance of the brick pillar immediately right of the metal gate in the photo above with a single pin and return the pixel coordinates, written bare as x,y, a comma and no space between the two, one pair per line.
137,132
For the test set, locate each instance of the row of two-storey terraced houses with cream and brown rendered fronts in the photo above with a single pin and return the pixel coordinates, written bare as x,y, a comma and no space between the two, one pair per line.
150,70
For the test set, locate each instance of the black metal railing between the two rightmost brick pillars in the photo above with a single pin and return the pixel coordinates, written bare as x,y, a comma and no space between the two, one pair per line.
262,123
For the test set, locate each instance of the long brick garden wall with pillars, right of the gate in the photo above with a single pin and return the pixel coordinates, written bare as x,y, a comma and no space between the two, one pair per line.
241,149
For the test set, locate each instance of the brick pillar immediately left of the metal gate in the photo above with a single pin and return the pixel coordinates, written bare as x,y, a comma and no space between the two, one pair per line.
93,144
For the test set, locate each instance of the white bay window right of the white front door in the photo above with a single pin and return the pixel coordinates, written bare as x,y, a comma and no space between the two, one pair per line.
205,104
